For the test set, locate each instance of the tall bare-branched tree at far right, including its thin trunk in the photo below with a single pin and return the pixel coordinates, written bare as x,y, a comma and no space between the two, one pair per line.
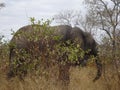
107,19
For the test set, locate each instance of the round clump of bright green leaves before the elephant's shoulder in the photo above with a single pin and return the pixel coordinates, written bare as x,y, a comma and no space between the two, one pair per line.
68,52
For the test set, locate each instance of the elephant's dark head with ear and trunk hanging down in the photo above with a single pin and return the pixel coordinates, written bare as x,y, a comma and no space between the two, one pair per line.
87,42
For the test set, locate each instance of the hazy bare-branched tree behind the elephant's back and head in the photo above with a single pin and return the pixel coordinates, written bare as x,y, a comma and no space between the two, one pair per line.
75,18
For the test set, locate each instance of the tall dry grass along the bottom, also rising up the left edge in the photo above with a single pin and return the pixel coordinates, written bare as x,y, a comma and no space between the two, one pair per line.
80,77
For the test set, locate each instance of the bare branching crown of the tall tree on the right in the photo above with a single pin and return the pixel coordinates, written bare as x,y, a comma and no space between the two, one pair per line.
107,16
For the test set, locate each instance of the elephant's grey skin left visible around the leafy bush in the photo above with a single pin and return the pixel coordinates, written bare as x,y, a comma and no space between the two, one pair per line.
85,40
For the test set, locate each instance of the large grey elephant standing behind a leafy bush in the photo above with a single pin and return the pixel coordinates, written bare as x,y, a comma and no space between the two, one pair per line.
30,39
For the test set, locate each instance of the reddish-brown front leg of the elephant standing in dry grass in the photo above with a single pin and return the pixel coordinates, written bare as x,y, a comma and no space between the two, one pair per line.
64,76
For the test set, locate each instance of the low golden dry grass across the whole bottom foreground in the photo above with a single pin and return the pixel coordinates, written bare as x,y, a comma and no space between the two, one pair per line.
80,79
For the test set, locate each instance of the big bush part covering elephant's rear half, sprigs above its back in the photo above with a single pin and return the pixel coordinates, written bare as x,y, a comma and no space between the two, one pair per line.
28,60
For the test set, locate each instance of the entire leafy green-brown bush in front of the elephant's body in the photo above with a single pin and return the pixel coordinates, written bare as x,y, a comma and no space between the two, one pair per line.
42,34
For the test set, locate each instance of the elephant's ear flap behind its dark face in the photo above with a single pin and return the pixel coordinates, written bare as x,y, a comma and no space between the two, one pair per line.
77,37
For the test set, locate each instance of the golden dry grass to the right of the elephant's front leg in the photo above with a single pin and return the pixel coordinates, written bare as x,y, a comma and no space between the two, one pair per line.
82,80
